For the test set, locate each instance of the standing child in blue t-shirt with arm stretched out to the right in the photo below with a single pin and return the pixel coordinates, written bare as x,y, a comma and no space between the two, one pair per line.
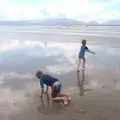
81,56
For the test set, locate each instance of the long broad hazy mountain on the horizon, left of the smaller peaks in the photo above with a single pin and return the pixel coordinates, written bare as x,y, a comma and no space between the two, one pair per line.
46,22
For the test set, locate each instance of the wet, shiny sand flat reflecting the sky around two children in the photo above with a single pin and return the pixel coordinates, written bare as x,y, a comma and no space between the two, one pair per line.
95,92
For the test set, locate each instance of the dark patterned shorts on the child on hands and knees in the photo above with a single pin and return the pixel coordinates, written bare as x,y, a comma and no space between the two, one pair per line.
56,89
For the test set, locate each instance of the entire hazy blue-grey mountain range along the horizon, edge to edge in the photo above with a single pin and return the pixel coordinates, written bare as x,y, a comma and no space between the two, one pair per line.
59,22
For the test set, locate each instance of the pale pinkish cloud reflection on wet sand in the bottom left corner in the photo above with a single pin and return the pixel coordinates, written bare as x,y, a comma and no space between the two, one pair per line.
11,101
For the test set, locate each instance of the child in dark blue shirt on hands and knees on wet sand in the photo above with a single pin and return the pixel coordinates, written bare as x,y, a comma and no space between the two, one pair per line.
55,85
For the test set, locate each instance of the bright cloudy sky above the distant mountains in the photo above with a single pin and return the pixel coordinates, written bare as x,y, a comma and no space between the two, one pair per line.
82,10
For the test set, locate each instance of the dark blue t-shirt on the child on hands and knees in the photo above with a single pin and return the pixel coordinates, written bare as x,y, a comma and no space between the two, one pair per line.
48,80
